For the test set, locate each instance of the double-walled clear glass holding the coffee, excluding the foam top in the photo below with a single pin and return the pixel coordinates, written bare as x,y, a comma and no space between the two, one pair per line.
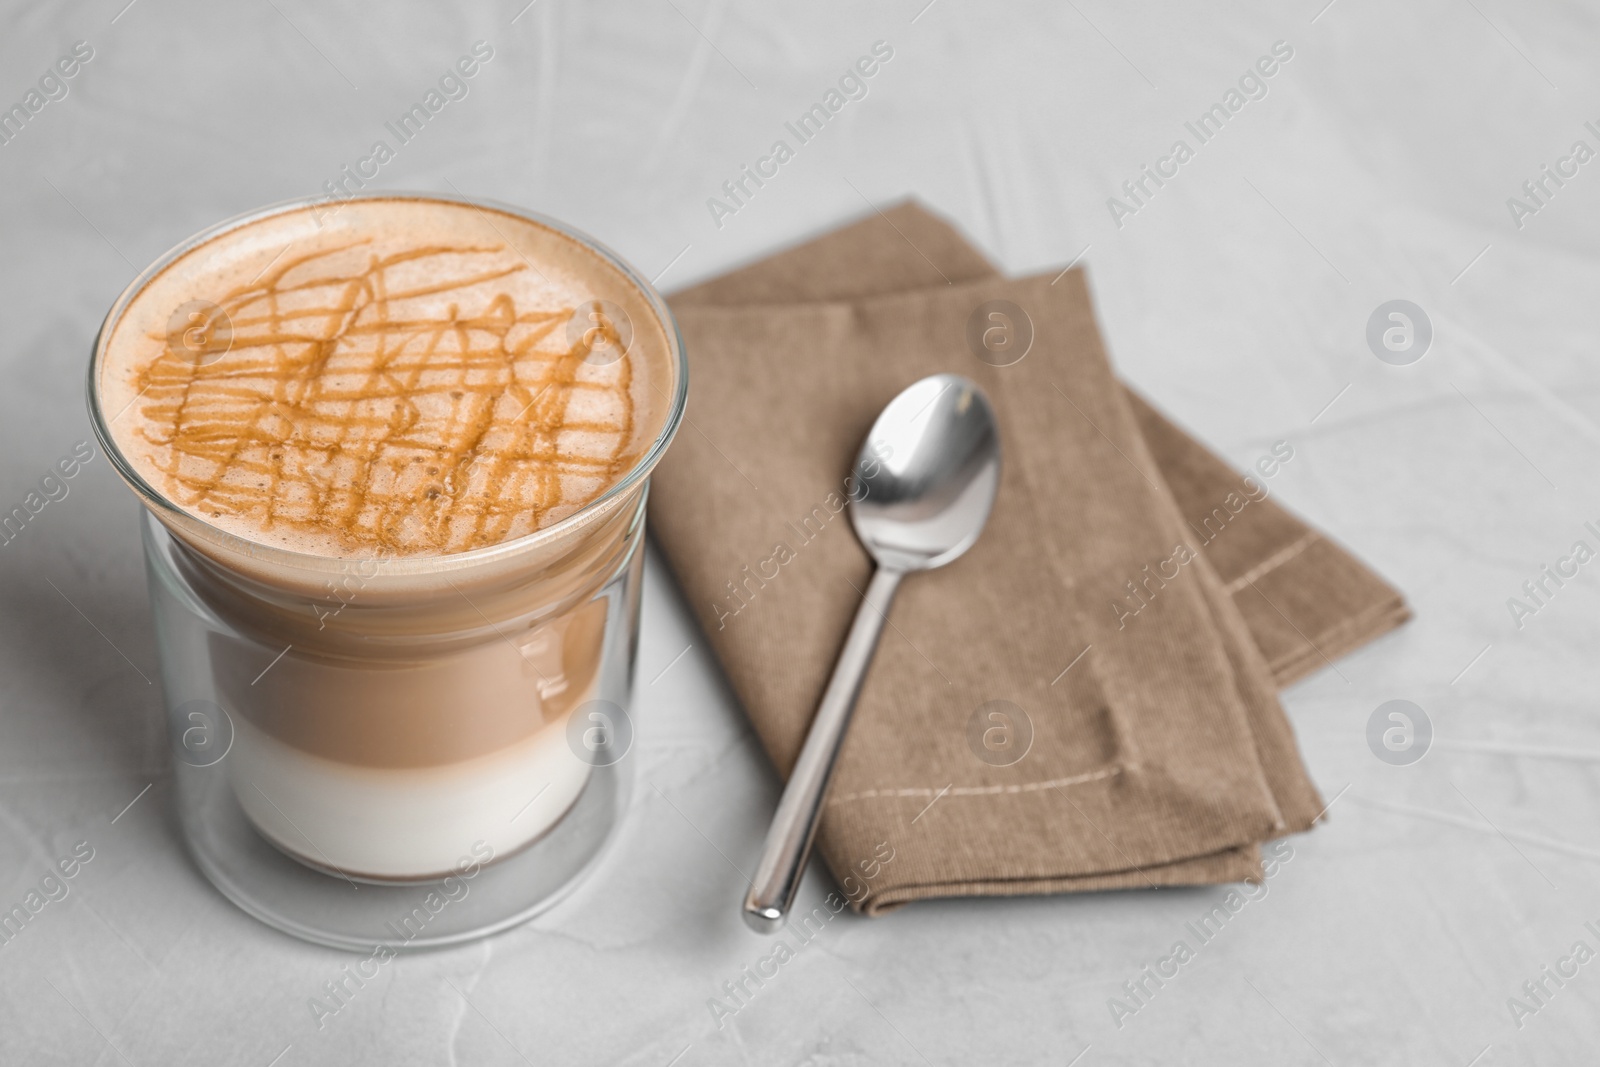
409,751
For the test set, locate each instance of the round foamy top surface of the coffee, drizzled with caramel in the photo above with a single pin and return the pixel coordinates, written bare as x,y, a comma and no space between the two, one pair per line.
396,377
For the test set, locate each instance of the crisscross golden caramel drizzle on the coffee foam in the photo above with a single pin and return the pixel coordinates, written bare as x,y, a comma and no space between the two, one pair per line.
337,414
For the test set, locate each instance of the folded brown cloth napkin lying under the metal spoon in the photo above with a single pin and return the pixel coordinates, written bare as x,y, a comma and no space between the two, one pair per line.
1156,749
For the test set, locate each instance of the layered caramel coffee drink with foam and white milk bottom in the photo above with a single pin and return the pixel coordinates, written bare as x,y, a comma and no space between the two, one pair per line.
370,428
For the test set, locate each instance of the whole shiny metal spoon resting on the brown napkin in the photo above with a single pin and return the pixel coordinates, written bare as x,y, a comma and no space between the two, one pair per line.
924,484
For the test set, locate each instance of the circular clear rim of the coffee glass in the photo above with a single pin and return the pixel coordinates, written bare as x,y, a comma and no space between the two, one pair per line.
678,358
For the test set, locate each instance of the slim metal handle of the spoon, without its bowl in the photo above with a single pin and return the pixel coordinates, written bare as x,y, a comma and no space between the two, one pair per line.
794,826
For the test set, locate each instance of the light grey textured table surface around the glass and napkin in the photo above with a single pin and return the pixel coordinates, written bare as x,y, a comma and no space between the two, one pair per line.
1380,166
